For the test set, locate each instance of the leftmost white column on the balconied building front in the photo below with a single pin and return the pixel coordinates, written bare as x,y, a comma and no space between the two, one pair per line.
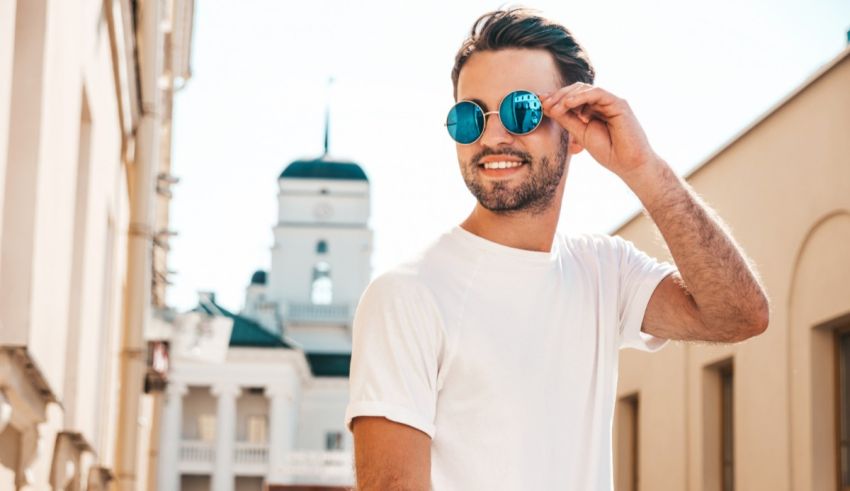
170,437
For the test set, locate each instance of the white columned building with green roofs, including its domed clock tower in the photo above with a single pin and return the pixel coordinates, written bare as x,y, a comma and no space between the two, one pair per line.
271,412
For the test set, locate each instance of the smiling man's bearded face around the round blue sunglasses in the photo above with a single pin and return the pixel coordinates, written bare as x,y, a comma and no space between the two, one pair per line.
486,78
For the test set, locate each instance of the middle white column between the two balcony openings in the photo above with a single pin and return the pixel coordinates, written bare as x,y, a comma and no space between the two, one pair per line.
225,436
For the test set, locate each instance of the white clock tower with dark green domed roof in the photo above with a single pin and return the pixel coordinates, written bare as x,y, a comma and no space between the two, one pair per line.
322,250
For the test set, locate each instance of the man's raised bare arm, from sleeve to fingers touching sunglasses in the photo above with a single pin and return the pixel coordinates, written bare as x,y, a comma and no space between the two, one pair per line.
717,297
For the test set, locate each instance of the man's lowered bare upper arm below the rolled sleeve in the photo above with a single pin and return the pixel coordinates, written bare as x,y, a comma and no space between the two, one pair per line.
390,456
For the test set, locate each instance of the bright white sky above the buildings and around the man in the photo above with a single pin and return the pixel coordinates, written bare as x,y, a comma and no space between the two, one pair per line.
695,74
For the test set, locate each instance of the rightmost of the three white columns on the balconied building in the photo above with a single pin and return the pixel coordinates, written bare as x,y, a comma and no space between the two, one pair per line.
283,422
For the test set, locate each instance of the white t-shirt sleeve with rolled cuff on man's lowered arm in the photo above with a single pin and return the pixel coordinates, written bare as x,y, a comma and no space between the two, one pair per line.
398,344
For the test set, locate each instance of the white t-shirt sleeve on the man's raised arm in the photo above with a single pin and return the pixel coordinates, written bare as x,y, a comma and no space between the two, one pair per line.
639,276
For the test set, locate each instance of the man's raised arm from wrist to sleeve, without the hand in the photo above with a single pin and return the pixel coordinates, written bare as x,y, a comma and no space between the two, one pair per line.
716,296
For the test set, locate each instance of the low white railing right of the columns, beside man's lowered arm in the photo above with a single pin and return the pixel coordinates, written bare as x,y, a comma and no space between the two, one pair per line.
319,467
